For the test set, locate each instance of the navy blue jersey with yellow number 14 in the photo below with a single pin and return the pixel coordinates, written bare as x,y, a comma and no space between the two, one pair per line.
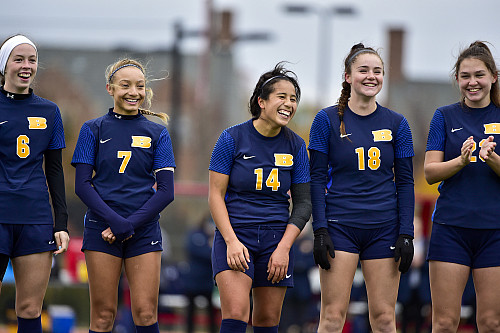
261,170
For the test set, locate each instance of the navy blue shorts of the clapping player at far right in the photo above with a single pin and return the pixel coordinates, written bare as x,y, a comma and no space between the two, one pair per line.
476,248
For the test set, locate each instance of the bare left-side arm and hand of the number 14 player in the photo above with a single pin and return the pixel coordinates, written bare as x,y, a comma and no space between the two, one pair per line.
237,253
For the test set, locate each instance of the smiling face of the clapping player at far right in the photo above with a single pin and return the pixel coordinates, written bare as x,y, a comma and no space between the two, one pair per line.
475,81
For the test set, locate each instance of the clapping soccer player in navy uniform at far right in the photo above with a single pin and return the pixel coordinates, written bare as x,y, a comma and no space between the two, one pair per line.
466,229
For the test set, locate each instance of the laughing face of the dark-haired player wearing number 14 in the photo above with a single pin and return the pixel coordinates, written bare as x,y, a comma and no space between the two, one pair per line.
279,108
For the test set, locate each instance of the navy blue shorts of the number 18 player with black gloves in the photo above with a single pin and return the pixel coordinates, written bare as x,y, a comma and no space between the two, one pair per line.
368,243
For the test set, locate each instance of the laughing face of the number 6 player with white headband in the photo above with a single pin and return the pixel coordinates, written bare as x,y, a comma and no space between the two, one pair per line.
20,69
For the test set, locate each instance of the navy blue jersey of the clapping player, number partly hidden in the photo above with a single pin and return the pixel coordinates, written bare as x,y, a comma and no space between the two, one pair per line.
471,197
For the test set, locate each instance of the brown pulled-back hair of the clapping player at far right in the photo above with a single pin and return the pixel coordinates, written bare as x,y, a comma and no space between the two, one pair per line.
479,50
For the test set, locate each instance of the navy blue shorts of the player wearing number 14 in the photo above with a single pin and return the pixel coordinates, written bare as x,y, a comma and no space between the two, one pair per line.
261,240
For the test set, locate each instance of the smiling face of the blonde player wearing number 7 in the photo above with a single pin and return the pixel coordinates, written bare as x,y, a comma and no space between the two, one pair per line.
128,88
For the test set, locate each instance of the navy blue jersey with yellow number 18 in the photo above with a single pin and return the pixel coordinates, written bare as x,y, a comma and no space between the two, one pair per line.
360,189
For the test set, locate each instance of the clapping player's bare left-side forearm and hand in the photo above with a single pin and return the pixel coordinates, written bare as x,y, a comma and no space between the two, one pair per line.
436,169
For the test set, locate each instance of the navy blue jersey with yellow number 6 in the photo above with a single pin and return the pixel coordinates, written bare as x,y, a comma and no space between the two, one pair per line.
28,128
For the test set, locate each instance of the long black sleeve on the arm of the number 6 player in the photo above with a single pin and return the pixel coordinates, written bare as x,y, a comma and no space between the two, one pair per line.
55,180
